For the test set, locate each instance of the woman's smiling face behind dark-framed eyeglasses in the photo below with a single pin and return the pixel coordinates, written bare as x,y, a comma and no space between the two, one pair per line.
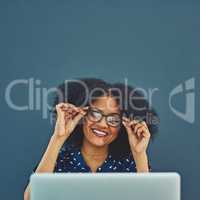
101,133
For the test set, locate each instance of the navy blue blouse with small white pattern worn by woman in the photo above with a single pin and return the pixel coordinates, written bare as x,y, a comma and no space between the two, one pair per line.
70,159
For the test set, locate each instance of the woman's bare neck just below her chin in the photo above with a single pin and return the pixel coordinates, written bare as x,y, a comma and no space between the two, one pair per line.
94,152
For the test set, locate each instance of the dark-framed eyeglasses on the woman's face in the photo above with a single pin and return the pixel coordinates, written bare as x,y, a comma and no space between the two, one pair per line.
96,115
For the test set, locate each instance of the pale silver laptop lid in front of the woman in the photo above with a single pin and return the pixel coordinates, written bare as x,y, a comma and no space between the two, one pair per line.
105,186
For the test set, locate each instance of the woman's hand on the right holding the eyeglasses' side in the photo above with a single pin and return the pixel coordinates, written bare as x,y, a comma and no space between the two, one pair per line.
138,135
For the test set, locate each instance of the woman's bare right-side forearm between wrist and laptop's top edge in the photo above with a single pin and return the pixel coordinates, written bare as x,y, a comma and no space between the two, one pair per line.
141,161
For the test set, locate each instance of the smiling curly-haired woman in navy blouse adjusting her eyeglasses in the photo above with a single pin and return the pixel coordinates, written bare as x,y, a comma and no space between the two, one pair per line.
96,131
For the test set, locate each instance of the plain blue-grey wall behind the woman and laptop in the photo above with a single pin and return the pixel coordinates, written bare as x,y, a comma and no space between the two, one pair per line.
154,44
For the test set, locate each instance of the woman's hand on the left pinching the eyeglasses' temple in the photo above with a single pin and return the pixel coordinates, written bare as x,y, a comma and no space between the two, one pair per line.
68,117
